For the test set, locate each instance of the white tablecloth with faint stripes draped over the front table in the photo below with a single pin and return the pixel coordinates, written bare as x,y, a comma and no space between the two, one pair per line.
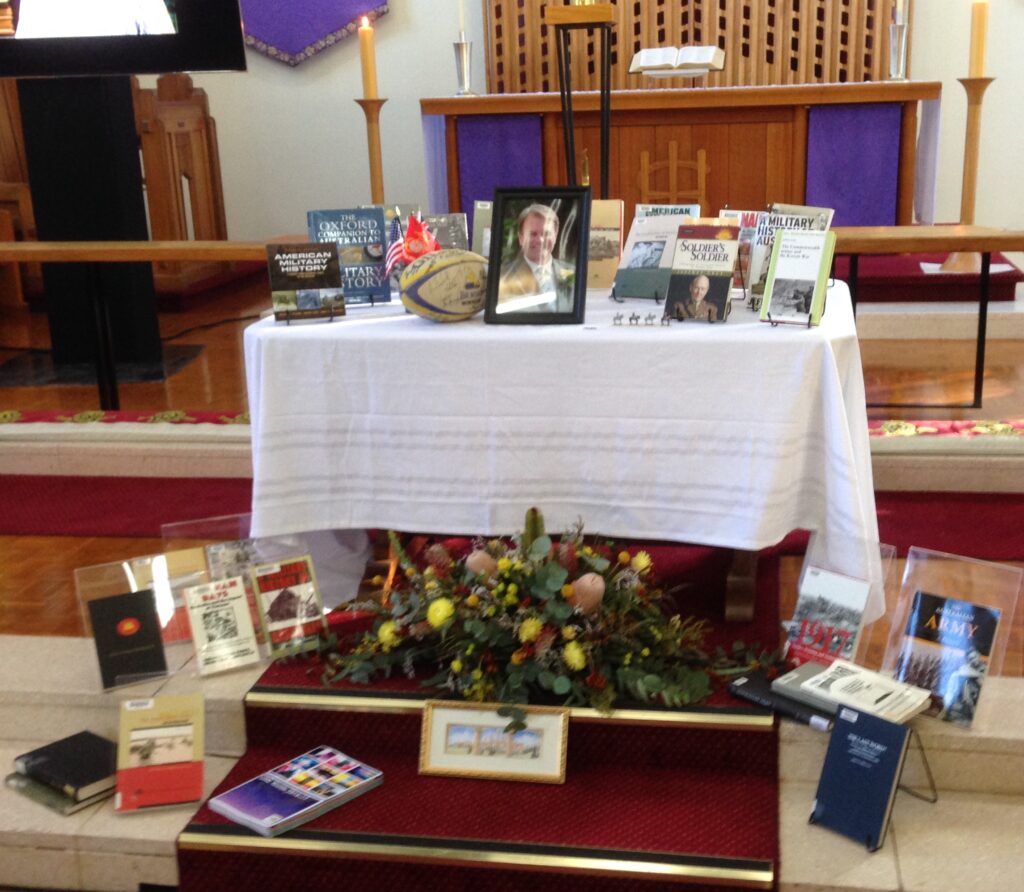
728,435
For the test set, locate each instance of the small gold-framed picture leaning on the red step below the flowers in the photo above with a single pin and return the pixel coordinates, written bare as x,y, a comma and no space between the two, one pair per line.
463,740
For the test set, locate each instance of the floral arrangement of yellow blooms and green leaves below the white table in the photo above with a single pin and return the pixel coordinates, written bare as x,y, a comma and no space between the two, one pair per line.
532,619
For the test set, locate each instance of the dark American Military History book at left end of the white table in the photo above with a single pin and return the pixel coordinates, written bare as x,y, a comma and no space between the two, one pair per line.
306,281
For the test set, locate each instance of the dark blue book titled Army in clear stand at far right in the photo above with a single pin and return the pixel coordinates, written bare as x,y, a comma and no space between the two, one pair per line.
946,649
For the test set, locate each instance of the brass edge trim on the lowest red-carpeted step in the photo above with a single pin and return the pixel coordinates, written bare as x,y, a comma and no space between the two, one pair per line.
754,878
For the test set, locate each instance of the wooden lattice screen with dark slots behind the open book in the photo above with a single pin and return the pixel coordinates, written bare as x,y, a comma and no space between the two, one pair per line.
766,43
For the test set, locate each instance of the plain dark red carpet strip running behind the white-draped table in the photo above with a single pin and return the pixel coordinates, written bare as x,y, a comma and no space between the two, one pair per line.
987,526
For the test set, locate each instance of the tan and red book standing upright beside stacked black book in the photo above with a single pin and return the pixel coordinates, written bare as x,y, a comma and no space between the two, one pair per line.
160,752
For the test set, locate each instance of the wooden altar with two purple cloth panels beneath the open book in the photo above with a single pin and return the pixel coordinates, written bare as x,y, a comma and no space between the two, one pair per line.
851,147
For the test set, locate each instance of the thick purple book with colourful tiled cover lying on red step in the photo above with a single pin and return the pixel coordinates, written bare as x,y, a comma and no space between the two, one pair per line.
296,792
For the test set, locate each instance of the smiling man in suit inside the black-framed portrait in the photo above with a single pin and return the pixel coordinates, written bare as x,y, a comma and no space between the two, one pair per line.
535,272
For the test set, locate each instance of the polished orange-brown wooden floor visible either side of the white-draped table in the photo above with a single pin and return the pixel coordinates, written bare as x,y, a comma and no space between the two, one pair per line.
37,594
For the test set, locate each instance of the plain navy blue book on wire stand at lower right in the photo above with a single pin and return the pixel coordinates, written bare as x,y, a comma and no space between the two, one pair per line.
861,777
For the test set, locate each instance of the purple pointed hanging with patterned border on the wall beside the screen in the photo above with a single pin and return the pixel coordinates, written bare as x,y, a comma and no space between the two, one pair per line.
293,32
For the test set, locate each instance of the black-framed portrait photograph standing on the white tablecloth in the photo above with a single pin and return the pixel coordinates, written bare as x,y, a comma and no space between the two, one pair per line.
538,263
